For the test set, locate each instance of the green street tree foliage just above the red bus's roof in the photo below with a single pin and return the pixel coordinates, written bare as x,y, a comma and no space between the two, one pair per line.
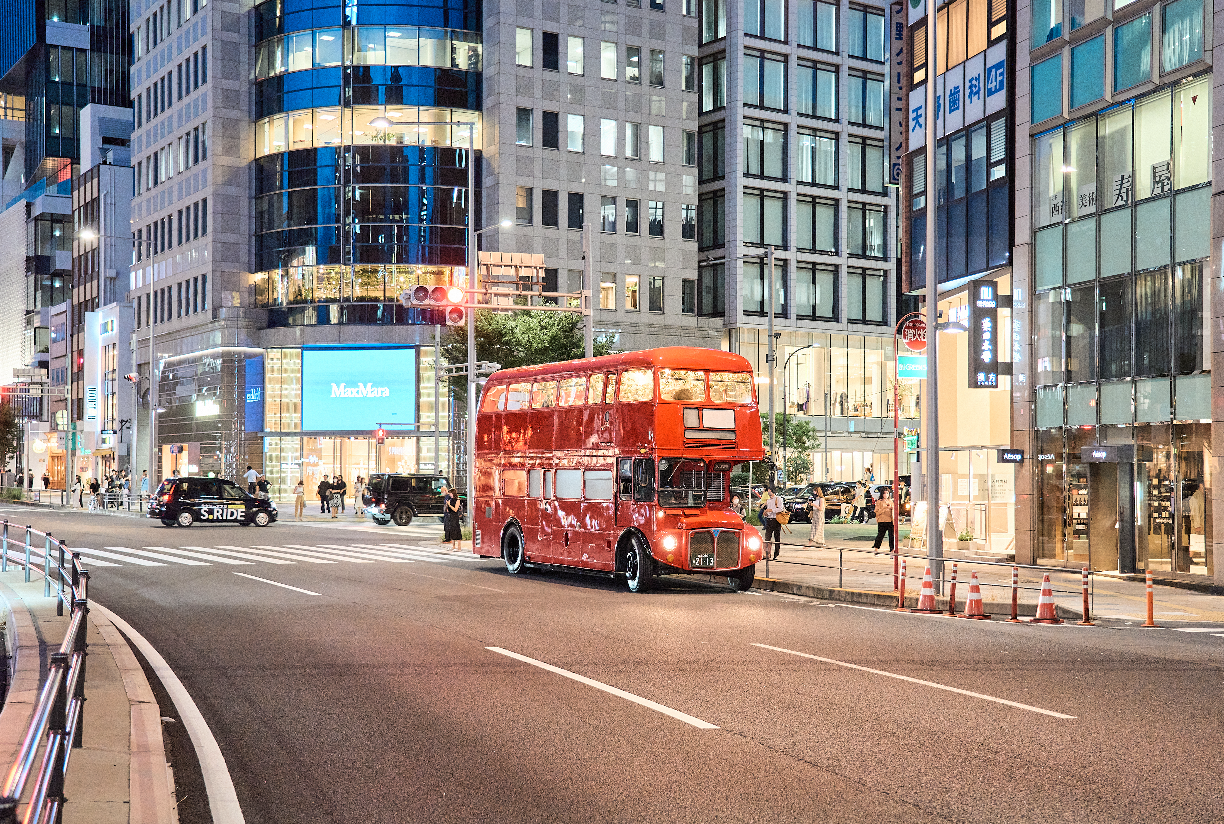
522,339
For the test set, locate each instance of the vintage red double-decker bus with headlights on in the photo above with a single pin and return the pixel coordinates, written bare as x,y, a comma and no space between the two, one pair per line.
621,465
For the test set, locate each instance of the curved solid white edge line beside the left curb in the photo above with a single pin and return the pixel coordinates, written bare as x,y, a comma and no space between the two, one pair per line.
222,798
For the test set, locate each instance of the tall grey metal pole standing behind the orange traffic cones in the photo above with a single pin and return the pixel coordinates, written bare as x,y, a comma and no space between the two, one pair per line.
931,471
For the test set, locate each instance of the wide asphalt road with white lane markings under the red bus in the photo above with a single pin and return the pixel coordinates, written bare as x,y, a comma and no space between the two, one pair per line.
375,697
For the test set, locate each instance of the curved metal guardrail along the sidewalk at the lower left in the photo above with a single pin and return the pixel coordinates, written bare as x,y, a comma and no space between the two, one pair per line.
58,723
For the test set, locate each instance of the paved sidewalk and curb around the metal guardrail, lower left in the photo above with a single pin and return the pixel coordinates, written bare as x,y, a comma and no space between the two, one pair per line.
121,776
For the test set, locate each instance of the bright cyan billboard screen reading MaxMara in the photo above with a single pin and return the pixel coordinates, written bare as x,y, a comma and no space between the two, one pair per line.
351,390
